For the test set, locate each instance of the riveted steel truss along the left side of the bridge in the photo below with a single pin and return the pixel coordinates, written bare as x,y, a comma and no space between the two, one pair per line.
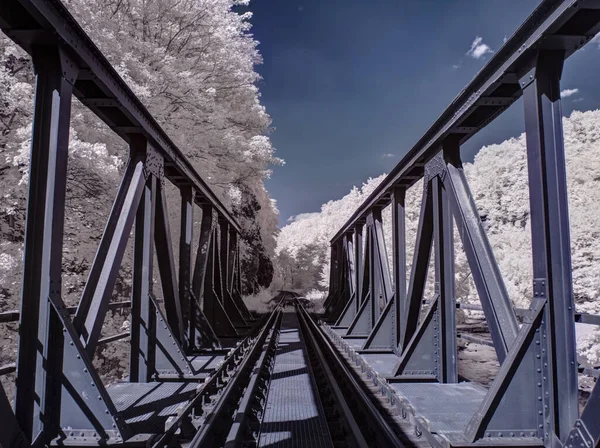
59,395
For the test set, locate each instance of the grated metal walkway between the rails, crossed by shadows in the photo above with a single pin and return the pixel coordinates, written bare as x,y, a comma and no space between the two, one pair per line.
293,414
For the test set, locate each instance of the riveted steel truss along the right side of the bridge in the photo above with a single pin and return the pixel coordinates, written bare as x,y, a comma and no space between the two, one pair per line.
534,398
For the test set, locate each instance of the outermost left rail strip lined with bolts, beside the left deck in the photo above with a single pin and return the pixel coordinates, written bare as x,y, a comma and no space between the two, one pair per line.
218,379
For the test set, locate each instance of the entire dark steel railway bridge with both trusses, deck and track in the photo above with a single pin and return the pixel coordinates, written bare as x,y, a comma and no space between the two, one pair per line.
378,366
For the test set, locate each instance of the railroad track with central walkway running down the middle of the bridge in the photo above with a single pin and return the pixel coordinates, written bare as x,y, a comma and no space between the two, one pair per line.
292,388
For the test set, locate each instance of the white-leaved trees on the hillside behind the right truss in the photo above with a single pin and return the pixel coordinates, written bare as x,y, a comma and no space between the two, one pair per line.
498,181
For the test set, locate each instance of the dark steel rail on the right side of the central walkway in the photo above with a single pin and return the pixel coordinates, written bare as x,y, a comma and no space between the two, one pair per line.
373,426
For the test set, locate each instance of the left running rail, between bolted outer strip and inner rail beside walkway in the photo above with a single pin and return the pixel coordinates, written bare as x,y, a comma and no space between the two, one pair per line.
214,428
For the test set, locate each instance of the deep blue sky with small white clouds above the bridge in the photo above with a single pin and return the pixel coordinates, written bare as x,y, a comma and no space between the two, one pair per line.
352,85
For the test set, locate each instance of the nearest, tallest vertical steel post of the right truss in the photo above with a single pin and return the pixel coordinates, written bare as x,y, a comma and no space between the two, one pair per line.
550,233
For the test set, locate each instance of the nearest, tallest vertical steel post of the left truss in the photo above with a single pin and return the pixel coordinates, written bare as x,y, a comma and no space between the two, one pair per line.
40,358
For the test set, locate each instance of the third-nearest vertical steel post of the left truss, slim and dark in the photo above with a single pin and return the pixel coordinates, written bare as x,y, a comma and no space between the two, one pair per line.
186,237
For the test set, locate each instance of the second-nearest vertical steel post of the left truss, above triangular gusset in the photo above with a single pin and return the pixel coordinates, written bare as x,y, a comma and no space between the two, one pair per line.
143,316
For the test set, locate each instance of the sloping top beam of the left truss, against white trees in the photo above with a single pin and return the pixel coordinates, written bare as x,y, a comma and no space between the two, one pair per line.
100,88
